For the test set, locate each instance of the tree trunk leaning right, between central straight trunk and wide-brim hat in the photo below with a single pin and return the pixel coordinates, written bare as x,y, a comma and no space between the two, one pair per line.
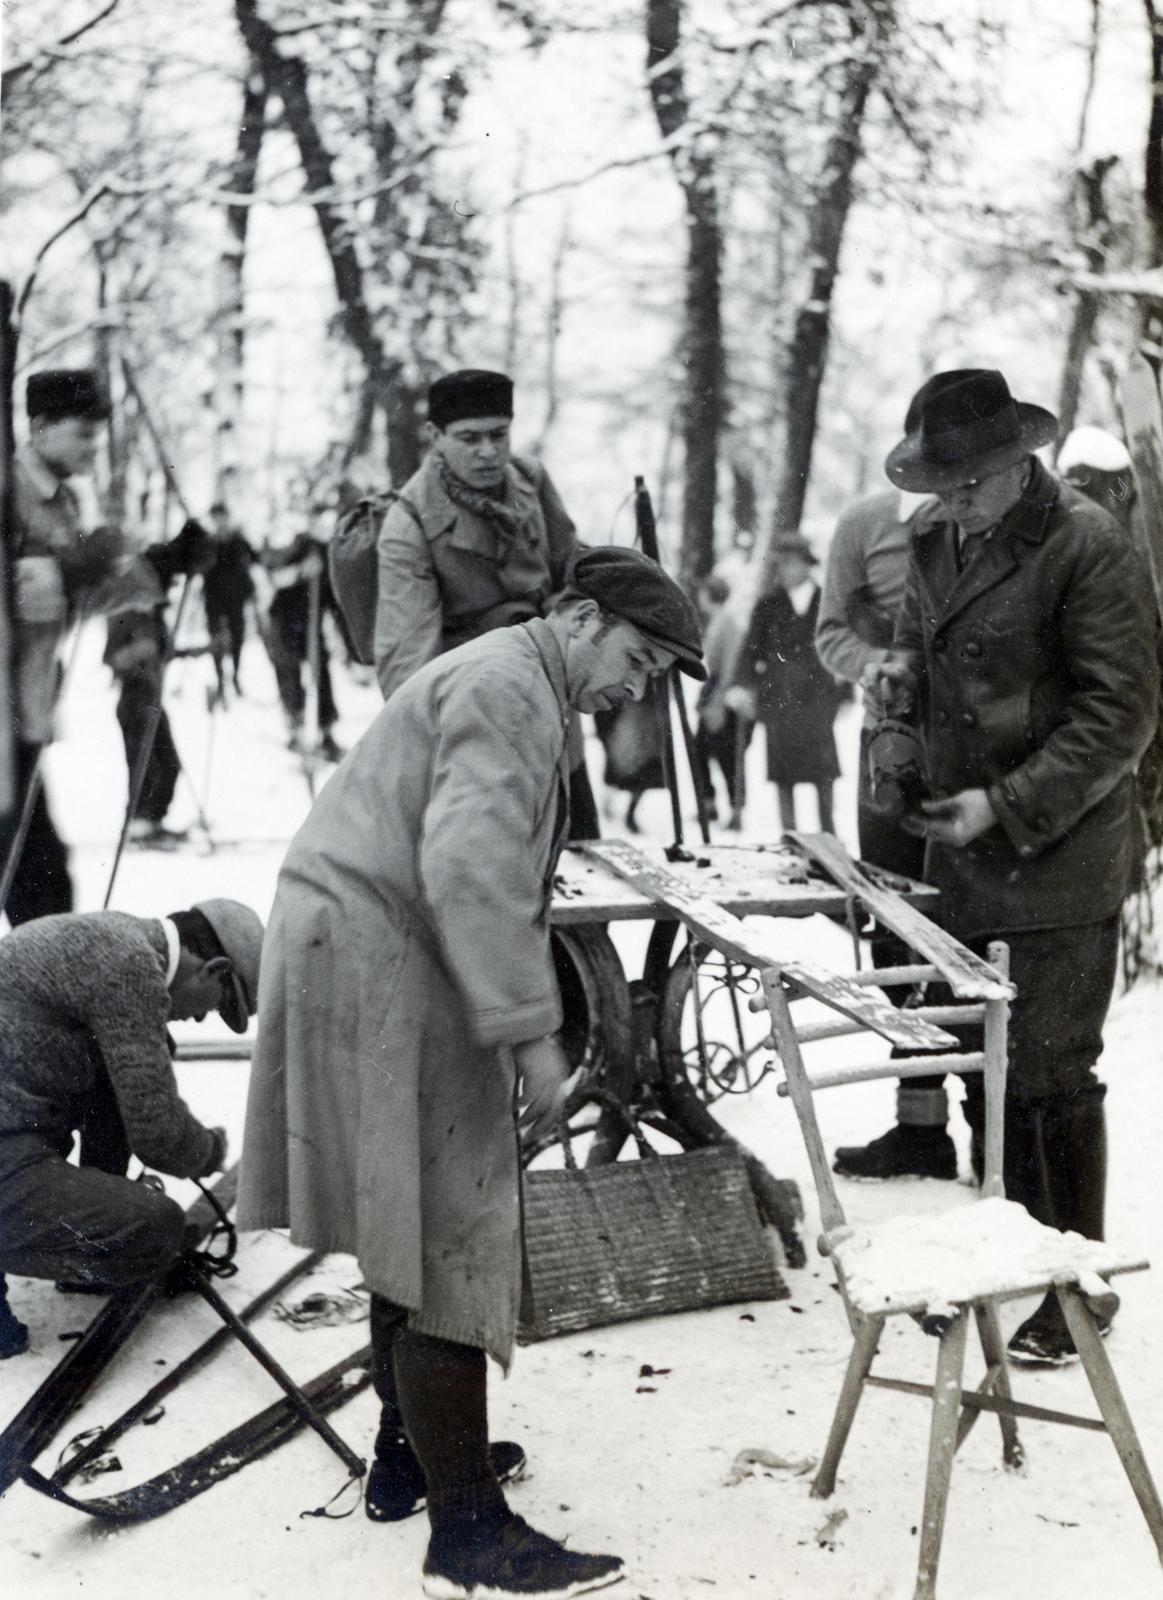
813,322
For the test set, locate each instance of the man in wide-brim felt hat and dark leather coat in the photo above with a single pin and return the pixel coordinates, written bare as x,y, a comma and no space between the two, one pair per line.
1026,657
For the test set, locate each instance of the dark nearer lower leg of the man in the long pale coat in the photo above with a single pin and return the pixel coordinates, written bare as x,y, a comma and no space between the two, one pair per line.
442,1396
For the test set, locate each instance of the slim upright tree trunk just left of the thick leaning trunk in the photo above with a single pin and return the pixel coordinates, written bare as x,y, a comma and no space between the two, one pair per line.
231,332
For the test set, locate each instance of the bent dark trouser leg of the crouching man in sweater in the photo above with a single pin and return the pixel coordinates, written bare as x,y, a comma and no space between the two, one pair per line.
78,1223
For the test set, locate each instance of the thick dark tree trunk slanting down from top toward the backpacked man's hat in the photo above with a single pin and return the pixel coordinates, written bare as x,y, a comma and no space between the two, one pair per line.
287,78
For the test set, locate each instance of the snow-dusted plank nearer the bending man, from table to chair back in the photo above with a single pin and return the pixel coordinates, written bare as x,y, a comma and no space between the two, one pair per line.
756,948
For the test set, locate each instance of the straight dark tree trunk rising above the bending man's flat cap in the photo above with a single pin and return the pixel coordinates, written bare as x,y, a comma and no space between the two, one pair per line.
703,343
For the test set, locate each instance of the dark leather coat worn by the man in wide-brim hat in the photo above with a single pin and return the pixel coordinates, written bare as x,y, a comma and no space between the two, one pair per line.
1037,682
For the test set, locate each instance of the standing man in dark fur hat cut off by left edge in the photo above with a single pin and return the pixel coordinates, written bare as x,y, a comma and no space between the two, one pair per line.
58,572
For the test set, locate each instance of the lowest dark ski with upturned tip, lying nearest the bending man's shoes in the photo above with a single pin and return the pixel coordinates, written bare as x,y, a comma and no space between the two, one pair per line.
231,1454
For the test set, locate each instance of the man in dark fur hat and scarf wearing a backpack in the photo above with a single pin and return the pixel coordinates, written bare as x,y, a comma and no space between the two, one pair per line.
478,540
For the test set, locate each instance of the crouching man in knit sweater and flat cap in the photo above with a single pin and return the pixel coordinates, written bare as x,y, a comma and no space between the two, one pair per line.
84,1049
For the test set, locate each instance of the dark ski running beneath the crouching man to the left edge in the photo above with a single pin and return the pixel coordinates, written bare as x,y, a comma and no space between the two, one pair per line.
42,1417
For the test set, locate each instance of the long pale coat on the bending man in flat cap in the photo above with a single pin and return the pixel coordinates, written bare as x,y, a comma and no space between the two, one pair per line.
407,953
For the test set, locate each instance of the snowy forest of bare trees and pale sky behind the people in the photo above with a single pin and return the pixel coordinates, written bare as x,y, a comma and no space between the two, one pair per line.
717,242
